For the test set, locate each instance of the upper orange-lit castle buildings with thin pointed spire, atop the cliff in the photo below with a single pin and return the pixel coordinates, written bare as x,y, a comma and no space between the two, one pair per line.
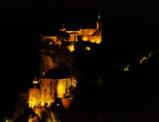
93,35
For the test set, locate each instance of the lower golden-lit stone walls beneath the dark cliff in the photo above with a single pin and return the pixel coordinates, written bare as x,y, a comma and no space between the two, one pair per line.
45,95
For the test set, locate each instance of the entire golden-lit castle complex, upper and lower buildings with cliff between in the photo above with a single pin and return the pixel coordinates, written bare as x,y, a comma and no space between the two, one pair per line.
57,51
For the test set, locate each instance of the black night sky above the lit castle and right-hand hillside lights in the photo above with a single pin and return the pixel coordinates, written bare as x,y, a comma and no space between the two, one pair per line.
130,27
